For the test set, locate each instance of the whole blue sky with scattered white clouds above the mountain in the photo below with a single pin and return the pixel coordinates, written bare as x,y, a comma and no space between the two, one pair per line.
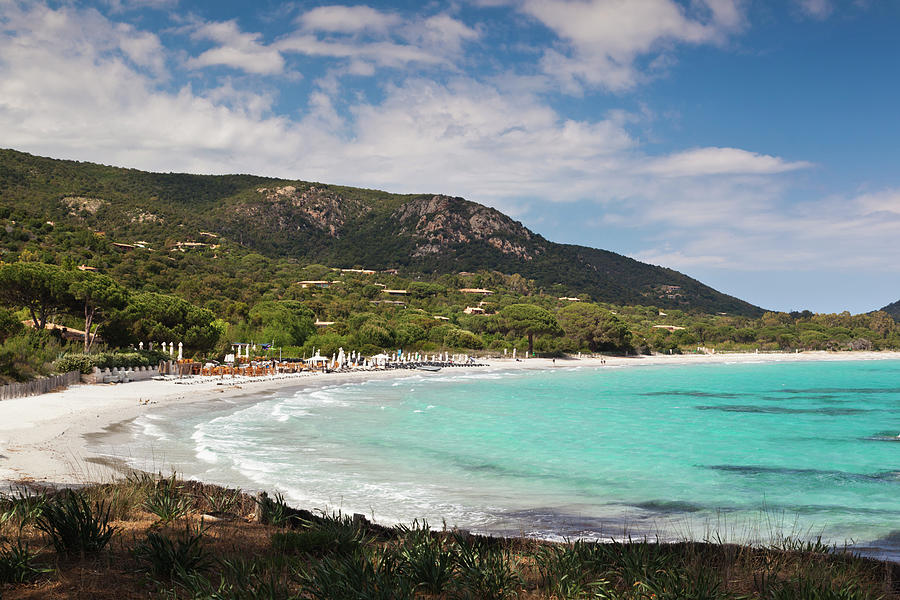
751,144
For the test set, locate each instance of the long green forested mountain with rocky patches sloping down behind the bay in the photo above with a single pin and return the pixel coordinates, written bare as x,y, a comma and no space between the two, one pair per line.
319,223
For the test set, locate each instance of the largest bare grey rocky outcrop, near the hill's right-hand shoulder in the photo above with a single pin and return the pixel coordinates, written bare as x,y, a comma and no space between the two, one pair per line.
441,221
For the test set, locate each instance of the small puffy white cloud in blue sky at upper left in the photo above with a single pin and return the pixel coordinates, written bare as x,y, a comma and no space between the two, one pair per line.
236,49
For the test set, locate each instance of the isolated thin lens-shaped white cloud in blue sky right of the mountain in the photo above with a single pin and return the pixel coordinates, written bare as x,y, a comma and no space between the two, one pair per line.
720,161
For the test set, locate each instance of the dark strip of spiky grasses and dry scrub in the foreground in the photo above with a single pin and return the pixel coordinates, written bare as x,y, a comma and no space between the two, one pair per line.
164,538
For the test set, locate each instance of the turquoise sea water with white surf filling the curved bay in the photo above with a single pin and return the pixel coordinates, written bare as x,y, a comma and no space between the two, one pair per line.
736,452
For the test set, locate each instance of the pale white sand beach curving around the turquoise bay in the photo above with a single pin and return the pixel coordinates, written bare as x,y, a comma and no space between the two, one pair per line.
45,438
